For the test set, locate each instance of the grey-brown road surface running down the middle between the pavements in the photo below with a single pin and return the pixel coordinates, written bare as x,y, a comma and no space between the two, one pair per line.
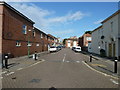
63,69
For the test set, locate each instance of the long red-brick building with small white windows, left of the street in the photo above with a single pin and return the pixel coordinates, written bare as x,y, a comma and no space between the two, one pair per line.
18,36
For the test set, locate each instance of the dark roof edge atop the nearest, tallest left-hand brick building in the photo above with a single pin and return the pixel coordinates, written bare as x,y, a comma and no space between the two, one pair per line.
17,12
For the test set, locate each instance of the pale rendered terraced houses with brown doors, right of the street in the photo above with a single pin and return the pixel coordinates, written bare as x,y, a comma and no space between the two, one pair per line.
107,36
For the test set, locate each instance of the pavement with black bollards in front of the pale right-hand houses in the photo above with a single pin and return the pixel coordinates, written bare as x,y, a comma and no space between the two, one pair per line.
103,65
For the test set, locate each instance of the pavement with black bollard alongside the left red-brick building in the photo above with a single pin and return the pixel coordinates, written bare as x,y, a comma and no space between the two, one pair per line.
20,63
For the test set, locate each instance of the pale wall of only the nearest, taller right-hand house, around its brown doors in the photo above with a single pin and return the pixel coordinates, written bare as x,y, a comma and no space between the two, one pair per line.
109,33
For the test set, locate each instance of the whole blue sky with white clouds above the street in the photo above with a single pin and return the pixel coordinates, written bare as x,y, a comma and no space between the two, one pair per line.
66,19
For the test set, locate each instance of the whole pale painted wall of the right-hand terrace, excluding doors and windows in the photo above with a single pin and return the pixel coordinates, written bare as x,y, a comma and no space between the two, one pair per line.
106,31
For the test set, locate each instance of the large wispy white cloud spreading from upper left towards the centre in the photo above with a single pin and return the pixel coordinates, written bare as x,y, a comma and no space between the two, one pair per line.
43,19
